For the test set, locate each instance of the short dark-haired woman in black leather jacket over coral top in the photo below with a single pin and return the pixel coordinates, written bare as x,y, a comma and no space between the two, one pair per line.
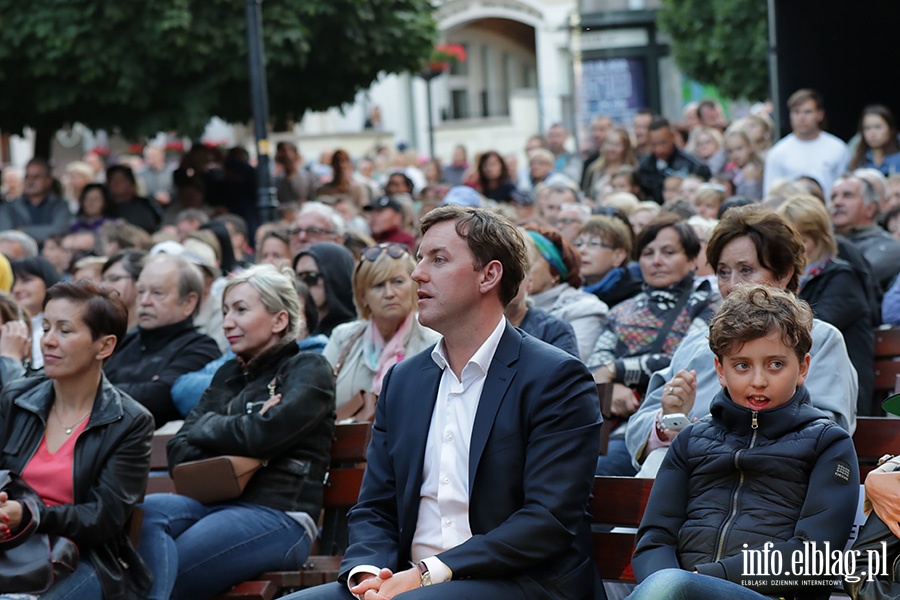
83,445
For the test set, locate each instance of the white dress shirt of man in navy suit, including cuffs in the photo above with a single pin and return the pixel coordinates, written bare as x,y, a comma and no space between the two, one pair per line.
443,521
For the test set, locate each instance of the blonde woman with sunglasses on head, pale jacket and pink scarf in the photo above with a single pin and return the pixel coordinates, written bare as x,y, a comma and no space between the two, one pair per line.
361,352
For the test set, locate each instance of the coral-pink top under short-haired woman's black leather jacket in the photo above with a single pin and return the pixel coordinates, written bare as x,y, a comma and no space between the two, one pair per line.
51,475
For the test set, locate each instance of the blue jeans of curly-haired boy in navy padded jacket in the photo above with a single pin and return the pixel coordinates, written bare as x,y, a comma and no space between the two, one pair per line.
677,584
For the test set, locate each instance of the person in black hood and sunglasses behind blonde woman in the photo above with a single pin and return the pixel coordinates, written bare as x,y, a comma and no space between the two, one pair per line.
327,268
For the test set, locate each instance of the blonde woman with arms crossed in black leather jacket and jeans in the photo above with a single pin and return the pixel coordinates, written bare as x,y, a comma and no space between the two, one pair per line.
272,402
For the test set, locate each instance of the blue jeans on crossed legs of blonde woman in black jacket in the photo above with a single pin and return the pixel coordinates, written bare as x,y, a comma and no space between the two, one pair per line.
198,551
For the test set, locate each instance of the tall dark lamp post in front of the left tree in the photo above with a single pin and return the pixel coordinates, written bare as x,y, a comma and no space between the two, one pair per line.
260,99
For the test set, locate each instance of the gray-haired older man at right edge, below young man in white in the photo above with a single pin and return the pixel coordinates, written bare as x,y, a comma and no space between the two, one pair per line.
854,211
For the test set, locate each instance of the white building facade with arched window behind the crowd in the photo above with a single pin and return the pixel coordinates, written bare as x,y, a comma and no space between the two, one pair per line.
516,81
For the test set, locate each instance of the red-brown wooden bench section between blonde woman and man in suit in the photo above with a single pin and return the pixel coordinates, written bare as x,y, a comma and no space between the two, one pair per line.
342,484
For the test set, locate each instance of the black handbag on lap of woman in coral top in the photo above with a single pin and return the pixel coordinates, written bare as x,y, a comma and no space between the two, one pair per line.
31,562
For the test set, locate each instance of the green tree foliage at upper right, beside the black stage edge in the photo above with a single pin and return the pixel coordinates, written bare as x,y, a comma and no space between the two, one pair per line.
720,42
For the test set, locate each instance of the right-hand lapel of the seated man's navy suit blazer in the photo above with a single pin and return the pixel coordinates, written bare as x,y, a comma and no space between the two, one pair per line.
499,376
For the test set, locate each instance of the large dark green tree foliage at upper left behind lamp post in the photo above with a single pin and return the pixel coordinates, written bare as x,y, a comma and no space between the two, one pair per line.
143,66
